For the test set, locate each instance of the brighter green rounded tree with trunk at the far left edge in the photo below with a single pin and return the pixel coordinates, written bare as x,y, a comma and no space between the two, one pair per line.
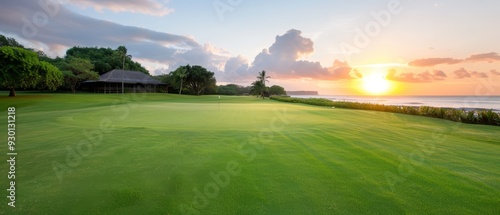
19,68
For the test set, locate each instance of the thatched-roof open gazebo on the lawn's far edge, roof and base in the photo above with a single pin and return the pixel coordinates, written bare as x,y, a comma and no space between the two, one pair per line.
120,81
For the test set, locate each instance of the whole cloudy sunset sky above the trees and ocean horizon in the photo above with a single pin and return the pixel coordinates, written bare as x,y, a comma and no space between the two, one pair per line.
380,47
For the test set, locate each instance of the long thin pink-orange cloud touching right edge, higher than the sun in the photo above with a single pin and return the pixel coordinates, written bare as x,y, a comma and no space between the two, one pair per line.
429,62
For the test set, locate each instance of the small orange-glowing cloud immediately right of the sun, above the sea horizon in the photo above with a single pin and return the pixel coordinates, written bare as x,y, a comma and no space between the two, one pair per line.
423,77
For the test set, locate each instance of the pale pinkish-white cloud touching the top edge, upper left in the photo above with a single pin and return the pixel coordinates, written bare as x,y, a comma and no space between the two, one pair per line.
149,7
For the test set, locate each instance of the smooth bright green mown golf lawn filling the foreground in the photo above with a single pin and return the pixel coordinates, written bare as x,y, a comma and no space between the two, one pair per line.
171,154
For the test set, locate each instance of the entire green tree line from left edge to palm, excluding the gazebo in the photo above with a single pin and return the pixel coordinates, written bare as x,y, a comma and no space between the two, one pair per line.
30,69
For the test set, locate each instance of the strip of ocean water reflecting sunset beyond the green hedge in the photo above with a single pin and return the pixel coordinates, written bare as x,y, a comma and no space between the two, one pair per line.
461,102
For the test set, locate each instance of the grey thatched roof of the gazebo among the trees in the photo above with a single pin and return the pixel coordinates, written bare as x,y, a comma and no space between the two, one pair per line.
126,76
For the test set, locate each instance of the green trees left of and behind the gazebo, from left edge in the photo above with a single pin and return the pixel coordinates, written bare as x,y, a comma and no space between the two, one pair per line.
30,69
